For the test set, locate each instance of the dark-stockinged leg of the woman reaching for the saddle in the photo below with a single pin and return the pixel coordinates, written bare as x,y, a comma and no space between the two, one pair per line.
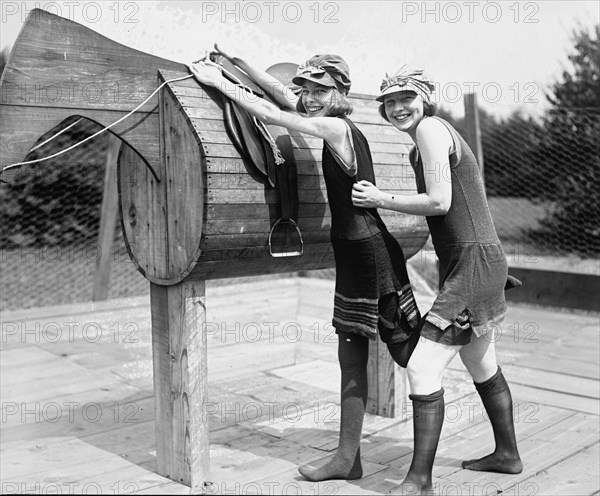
353,355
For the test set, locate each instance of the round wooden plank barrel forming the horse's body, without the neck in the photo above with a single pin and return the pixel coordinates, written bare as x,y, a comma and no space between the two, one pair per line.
210,214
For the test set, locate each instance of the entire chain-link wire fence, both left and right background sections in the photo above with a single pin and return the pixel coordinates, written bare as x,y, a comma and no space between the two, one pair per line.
542,179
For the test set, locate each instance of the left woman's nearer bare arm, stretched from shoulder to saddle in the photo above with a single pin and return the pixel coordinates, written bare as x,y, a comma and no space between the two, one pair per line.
330,129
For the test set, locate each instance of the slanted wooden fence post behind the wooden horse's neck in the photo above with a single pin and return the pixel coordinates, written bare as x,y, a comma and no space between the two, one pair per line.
108,220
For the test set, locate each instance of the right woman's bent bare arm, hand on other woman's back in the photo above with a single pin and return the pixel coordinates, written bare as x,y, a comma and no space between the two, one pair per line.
434,143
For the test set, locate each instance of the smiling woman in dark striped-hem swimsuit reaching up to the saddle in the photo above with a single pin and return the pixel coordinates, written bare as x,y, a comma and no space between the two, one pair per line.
372,292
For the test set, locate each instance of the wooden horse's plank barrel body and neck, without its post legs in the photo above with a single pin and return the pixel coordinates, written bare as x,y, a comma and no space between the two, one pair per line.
191,206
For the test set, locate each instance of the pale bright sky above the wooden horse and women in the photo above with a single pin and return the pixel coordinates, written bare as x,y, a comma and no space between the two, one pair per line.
507,51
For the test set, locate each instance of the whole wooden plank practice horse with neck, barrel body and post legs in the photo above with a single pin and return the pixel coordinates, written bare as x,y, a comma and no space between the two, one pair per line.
194,203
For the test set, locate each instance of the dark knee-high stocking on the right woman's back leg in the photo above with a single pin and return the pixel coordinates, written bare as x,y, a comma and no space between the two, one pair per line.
497,400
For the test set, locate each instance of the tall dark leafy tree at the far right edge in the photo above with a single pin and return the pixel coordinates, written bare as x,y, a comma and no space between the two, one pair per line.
572,149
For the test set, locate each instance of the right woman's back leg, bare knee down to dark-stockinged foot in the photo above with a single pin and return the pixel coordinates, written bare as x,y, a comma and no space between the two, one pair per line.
480,359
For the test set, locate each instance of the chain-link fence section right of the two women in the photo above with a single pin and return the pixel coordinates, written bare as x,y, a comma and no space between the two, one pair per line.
543,184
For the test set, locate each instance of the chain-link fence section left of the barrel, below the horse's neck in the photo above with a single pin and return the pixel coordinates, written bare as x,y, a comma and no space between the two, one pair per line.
50,215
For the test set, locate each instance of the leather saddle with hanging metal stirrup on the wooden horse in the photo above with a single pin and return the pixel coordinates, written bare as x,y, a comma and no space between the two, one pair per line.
268,148
